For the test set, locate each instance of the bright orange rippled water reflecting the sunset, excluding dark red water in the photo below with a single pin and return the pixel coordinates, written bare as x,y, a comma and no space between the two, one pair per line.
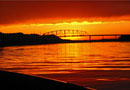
65,58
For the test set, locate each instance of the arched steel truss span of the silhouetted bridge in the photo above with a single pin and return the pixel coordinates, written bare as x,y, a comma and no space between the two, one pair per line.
67,33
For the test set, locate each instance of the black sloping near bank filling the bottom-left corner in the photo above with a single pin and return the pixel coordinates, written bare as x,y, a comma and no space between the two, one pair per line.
15,81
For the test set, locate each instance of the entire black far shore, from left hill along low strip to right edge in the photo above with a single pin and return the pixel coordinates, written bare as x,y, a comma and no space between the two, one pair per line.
20,39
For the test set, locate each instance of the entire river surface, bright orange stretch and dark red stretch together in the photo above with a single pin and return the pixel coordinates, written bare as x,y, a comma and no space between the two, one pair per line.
99,65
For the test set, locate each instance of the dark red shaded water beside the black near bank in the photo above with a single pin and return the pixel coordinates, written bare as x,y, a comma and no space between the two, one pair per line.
97,79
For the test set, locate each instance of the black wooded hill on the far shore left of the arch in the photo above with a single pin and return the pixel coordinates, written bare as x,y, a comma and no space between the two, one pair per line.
7,39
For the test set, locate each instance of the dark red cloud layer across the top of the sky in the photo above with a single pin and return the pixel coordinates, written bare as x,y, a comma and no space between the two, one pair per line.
15,12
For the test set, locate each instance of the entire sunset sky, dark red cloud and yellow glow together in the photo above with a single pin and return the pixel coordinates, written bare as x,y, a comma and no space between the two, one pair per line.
95,17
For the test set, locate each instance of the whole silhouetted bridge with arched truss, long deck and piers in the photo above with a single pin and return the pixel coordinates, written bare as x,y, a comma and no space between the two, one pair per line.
78,33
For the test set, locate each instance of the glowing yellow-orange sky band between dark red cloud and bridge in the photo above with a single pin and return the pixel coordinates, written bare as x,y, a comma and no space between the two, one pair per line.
97,27
